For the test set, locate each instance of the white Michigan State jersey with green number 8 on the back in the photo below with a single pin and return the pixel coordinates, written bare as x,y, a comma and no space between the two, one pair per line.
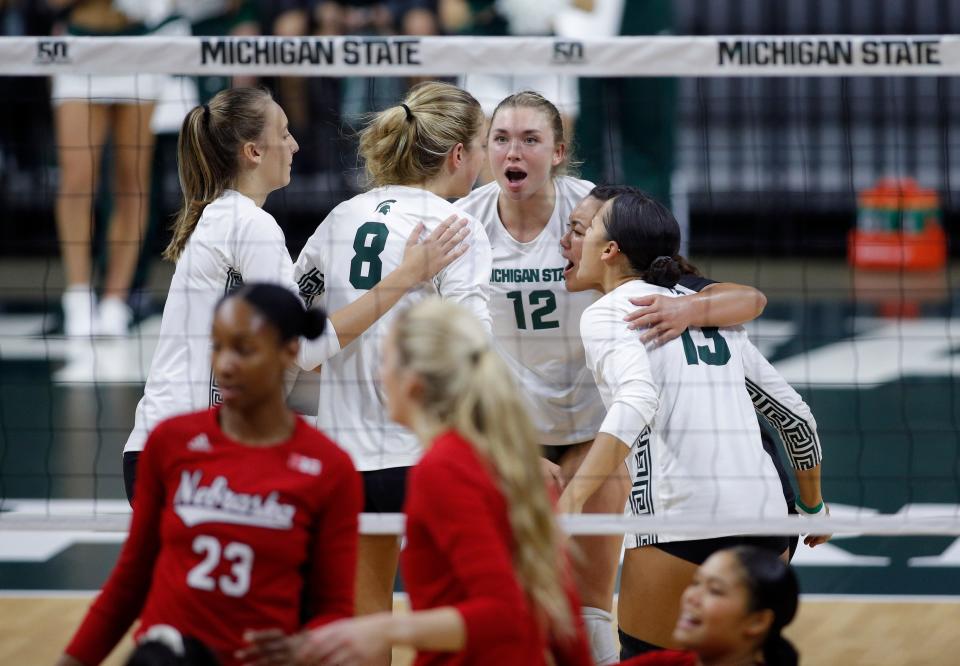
359,242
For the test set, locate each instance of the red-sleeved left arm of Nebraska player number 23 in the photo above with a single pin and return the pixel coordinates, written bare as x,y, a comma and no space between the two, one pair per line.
125,592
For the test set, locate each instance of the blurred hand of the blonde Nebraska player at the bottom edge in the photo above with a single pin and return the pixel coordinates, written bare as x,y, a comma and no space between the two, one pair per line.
350,642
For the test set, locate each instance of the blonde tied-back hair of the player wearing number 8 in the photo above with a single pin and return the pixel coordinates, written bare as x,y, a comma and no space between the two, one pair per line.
408,143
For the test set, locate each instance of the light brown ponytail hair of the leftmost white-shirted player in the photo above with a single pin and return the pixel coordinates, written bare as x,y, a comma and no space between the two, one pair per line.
208,153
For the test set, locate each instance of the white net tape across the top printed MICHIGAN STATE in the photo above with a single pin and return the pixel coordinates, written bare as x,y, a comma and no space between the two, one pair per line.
820,55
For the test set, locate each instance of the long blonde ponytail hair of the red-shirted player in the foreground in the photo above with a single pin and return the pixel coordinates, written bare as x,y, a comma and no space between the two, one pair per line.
469,388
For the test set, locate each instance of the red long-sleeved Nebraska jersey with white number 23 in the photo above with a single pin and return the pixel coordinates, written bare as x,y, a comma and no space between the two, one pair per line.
226,536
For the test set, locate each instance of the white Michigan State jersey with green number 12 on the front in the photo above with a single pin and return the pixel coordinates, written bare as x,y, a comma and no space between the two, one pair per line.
535,318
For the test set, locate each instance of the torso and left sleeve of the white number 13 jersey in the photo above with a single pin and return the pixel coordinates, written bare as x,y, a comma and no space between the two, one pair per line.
684,408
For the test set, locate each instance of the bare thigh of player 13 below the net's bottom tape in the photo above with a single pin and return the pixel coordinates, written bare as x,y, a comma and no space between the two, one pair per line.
651,584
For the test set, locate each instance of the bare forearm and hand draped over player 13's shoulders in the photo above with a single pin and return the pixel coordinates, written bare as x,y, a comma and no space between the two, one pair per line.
715,304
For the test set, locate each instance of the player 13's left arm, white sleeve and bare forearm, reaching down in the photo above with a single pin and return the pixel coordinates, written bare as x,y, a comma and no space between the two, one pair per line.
614,354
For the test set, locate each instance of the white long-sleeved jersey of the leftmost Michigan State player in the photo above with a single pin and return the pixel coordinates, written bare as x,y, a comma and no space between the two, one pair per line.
234,242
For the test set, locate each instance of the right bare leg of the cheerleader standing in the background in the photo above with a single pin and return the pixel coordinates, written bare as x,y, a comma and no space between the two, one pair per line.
133,140
